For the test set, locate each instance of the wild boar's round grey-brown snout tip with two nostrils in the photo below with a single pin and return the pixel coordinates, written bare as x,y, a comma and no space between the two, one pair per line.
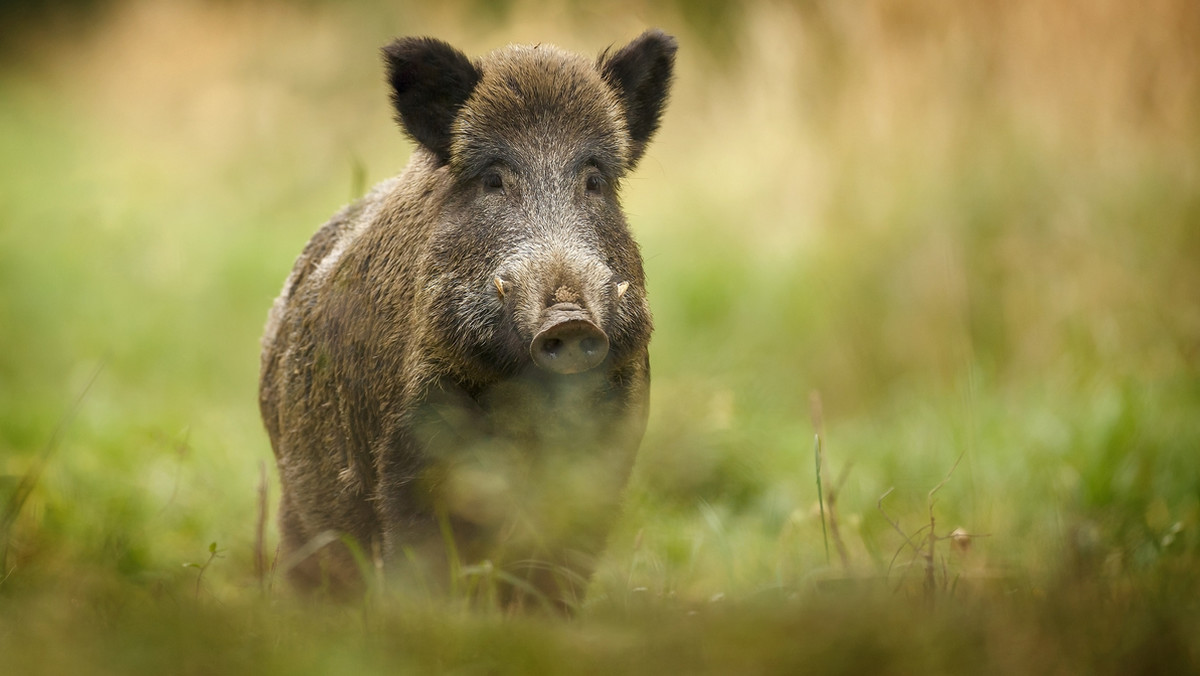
568,342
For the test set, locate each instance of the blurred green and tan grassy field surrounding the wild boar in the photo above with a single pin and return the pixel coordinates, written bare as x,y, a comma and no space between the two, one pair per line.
959,242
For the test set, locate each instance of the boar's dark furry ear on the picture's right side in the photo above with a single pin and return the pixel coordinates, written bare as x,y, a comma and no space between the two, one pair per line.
641,75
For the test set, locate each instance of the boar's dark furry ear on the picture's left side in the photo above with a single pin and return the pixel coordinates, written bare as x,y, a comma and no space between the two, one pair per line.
430,82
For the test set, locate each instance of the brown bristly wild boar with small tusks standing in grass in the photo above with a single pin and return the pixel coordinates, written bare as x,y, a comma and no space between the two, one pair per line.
457,372
